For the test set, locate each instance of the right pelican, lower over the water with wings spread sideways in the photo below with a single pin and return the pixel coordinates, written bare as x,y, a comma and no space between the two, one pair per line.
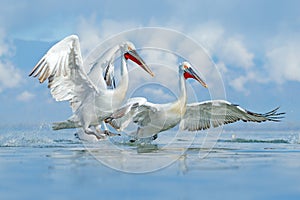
155,118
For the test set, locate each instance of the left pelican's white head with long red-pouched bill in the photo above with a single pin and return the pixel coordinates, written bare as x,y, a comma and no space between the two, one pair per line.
129,52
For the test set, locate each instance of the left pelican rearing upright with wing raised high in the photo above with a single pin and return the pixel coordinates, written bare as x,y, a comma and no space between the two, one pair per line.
63,66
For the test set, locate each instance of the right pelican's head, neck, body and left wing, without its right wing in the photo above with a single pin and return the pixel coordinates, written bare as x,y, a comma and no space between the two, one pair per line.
154,118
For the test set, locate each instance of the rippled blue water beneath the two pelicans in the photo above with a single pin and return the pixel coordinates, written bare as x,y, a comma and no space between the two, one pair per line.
37,163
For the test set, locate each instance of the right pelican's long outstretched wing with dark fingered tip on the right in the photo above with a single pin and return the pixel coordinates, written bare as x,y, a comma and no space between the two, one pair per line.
200,116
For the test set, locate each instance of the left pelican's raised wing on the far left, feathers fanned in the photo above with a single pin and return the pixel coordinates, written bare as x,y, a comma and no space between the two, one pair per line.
62,65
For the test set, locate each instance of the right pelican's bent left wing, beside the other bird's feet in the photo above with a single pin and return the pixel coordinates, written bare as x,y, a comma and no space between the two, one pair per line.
136,110
